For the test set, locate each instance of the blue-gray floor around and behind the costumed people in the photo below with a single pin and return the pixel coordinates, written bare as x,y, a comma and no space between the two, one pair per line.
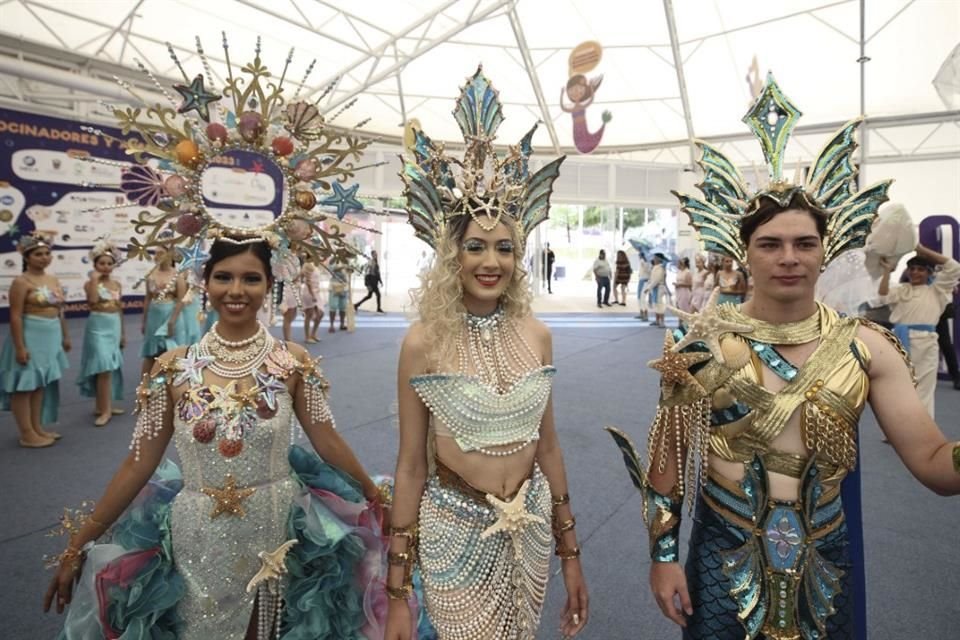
913,565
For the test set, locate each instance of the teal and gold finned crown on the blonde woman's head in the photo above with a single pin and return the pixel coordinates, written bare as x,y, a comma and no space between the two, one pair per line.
484,184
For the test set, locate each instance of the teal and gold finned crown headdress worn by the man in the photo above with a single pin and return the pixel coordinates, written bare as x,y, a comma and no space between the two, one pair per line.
829,188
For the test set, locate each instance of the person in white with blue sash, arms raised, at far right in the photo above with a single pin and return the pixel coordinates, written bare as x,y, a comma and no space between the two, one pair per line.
915,308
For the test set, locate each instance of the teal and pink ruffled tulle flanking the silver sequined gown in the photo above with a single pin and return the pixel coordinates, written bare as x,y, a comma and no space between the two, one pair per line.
333,589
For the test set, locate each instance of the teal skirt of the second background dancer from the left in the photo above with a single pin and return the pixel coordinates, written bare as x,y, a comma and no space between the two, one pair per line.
101,354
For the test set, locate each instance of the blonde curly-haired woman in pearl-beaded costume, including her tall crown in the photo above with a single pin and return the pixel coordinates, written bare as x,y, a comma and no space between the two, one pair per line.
481,491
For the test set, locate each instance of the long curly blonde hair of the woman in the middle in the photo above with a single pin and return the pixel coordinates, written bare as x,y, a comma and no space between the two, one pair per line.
439,299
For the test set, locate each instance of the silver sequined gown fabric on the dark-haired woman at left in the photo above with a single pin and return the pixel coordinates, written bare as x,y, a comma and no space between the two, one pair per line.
218,556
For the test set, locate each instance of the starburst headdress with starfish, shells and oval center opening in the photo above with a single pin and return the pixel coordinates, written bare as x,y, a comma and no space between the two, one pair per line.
277,151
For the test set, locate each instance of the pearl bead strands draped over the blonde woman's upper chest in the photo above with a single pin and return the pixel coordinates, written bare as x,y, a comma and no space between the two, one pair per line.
497,351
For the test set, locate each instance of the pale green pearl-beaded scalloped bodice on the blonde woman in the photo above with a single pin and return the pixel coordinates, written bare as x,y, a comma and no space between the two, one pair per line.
477,417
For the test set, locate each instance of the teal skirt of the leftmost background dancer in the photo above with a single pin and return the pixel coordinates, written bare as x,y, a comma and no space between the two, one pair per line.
43,338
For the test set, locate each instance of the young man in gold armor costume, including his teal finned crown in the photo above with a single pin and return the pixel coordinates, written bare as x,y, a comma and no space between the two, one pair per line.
759,407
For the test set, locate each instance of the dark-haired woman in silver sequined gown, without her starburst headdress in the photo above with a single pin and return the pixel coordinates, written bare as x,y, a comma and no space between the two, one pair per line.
241,520
